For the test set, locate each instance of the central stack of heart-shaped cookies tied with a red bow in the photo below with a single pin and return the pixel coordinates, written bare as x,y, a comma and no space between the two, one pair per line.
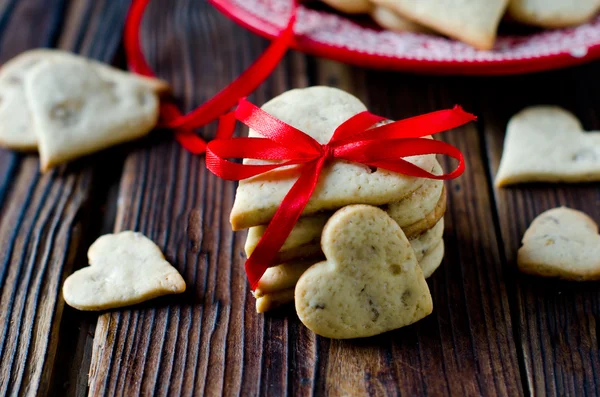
406,213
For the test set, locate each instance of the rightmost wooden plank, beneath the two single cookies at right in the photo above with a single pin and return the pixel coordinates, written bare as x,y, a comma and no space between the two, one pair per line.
557,322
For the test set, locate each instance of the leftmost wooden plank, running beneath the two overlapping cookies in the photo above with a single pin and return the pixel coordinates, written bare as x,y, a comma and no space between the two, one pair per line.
42,218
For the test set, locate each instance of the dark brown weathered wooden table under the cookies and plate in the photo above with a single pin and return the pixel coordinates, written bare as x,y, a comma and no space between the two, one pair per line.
493,331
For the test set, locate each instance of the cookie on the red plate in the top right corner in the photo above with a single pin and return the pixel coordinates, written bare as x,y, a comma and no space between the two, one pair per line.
553,13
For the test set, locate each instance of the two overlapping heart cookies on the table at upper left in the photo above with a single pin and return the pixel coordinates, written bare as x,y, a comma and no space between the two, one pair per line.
66,106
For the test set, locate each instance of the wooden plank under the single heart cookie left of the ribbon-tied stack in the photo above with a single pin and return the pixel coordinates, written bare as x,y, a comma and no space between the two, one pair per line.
210,340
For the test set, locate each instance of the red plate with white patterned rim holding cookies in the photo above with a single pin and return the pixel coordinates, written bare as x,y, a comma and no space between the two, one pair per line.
334,36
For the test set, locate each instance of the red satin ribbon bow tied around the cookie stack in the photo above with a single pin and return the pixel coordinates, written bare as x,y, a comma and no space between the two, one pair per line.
356,140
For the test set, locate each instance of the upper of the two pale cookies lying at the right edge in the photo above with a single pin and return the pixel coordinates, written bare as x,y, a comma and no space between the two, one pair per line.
548,144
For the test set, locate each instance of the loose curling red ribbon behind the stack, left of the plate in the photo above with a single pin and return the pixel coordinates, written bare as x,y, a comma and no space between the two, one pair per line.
244,85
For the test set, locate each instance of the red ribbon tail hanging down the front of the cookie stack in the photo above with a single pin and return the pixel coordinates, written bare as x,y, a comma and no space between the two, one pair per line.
283,222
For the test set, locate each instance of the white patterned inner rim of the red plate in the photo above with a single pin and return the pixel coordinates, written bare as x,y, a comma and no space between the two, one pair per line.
336,31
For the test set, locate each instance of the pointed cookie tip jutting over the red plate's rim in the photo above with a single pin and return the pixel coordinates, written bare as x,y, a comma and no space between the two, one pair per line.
473,21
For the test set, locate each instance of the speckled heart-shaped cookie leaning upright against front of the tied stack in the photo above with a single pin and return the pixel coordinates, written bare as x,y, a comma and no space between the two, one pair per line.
370,283
